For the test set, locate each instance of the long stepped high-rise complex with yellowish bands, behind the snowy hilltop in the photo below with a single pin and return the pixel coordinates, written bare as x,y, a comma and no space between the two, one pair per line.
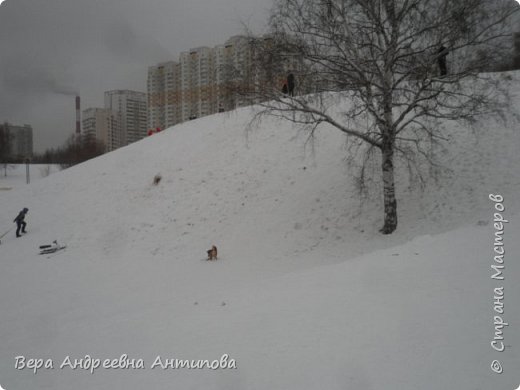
209,80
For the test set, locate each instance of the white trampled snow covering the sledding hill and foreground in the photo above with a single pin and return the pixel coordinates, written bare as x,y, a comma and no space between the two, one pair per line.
305,294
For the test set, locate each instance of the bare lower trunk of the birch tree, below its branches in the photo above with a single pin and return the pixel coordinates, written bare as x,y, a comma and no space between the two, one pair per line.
389,189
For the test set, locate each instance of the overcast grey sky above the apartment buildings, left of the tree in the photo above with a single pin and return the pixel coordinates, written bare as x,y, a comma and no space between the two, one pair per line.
52,49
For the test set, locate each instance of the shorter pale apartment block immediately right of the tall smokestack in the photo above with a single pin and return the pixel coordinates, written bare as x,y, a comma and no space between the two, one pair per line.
102,124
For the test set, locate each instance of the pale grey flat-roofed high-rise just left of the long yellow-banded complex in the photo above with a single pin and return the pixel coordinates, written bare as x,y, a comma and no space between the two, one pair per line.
130,108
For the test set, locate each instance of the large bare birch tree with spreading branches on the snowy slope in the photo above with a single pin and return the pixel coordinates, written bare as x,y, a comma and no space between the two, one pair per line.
404,65
